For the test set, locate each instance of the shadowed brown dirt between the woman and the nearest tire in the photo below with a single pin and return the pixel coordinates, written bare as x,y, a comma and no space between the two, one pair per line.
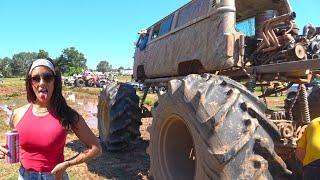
124,165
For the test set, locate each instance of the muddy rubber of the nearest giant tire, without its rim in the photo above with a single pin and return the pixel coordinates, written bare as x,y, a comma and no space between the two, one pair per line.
227,118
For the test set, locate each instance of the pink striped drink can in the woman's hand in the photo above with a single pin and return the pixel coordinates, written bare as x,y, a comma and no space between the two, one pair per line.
12,142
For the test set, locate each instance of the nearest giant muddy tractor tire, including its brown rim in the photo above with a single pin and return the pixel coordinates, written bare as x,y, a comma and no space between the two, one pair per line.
211,127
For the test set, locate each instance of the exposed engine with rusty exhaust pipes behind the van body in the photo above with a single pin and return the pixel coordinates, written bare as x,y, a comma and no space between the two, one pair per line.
280,41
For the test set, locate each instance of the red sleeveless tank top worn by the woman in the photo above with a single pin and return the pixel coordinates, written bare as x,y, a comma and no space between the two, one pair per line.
42,140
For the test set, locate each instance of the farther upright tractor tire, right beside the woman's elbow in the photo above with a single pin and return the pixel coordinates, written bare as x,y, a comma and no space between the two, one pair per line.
119,117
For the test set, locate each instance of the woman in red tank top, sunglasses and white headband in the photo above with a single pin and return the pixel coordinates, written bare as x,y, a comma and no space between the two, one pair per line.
43,125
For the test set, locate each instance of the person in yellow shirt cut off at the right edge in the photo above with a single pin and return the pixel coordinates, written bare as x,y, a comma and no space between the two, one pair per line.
308,150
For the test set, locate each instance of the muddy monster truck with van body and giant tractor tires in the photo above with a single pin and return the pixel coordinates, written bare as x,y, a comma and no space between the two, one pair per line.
208,123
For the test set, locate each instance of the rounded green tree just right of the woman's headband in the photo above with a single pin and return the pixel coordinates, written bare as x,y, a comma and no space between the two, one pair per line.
71,61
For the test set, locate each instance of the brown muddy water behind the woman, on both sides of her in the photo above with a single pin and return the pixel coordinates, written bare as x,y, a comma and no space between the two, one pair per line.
85,105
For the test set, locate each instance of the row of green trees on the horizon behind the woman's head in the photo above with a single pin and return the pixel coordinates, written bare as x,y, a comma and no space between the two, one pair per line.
70,62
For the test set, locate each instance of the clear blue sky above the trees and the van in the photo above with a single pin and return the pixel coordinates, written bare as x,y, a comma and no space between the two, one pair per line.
100,29
